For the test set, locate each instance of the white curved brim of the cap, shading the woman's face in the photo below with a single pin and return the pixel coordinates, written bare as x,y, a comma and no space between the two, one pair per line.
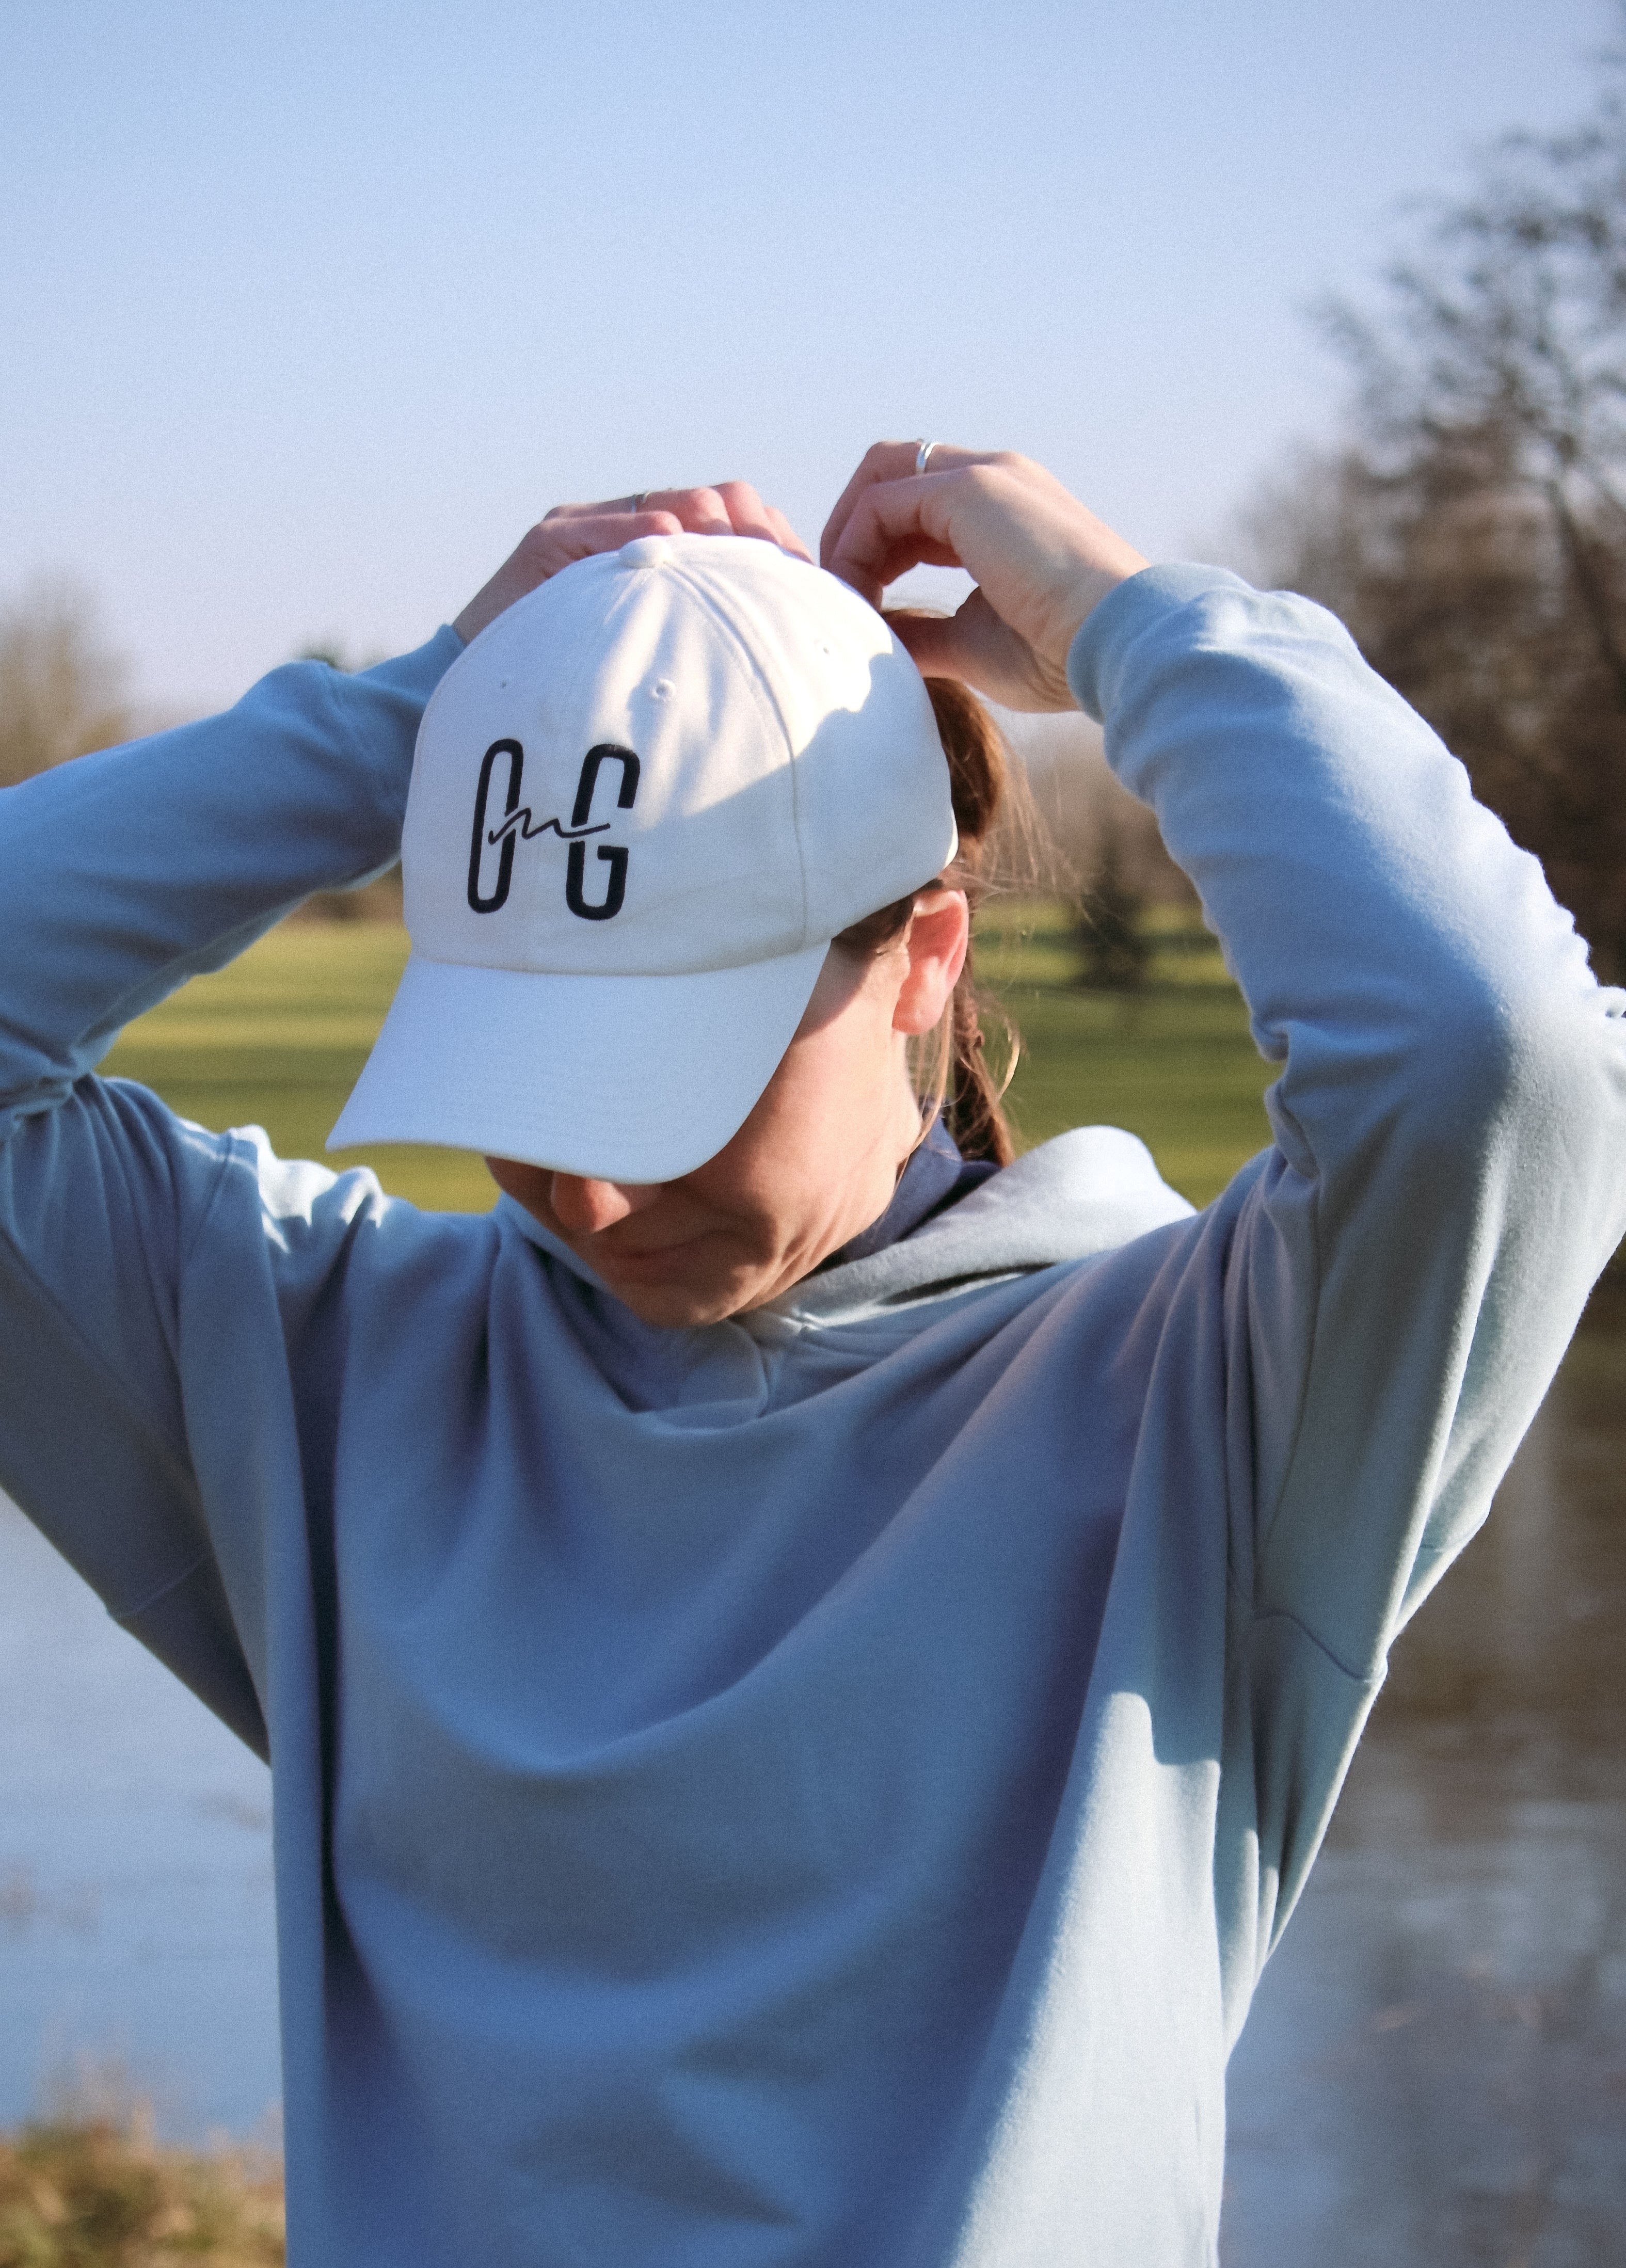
620,1078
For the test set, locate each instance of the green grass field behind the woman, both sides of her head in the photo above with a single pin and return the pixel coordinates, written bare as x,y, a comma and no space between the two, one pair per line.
278,1042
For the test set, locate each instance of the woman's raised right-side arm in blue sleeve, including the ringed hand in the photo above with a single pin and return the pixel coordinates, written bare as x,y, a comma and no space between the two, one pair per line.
1405,1269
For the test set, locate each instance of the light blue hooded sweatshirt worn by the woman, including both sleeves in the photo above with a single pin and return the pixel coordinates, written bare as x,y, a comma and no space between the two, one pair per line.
822,1788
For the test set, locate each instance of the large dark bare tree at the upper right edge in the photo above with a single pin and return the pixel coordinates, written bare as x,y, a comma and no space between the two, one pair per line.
1473,532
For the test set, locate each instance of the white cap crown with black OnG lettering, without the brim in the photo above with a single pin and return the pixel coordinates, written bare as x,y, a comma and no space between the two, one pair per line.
688,754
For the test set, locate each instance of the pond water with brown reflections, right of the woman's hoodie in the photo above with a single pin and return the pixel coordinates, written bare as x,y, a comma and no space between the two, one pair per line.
1437,2063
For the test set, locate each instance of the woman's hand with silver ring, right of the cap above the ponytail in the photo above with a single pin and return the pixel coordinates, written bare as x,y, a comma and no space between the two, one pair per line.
1042,564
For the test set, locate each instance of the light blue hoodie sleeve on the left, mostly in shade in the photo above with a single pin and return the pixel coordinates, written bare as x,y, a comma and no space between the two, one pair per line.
121,877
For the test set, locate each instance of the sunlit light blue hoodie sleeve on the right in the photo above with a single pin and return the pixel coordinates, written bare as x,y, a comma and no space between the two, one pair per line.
1450,1119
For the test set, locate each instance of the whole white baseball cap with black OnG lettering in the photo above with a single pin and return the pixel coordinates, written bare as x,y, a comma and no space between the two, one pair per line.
643,804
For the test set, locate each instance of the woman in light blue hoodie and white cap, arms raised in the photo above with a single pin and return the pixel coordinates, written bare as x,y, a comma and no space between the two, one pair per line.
802,1691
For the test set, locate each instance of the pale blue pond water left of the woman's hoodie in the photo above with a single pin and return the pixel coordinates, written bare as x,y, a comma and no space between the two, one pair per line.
135,1870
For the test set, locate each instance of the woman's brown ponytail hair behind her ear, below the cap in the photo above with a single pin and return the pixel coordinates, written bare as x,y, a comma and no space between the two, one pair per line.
960,1081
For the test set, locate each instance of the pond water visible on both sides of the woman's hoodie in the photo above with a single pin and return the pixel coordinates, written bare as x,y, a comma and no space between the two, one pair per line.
1437,2063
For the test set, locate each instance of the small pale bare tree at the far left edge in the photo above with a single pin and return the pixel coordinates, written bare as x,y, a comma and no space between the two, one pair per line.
62,691
